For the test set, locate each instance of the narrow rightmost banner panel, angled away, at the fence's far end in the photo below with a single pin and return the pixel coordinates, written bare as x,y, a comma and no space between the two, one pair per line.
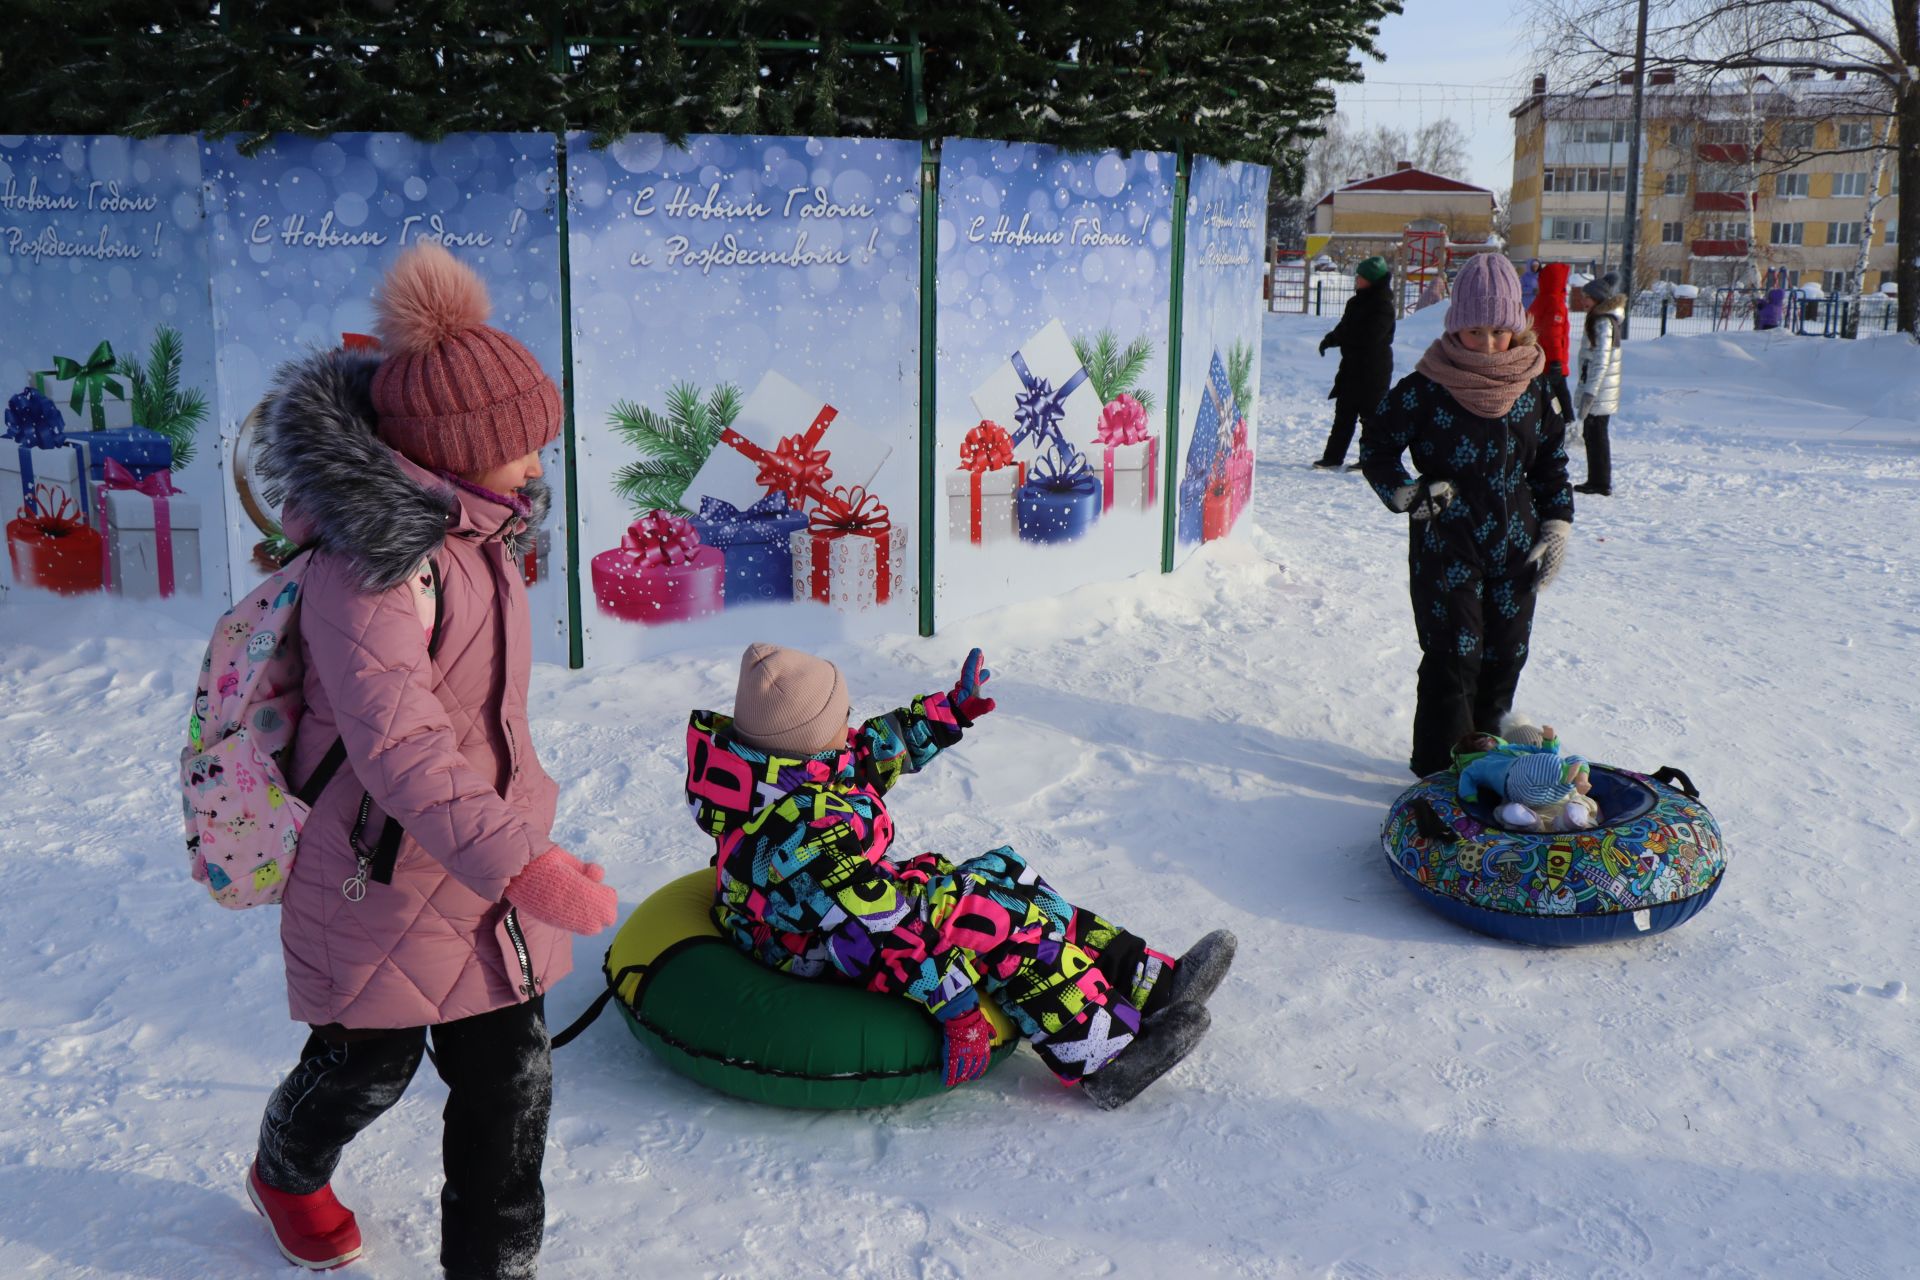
1220,348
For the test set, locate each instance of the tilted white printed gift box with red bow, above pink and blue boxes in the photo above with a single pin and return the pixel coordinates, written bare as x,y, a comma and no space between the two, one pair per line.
786,442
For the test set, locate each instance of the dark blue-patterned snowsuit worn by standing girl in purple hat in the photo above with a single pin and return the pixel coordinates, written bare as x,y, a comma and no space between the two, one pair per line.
1472,586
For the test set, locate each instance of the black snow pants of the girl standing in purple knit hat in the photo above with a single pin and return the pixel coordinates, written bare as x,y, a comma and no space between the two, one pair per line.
1474,646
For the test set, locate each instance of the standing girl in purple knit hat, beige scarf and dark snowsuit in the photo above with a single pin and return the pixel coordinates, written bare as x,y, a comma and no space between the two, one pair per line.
1491,517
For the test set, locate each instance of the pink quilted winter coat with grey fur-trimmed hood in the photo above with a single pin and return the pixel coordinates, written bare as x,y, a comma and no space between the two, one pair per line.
441,744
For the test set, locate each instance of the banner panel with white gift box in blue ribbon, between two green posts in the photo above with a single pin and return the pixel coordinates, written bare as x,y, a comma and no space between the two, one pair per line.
1055,277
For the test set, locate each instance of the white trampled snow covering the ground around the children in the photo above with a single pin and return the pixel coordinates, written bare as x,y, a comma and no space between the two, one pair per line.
1383,1095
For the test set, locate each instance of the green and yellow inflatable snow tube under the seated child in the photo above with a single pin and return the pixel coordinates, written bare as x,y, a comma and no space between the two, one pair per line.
721,1018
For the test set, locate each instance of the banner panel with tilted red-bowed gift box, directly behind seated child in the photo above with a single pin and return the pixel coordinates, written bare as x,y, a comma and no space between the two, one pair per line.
746,410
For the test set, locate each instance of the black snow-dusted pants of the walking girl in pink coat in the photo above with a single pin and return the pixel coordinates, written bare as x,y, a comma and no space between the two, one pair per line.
500,1091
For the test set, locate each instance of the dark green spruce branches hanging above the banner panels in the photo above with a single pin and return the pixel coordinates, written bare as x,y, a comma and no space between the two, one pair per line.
1241,80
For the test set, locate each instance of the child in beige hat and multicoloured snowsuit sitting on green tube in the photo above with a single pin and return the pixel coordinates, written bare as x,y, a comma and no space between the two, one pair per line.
794,799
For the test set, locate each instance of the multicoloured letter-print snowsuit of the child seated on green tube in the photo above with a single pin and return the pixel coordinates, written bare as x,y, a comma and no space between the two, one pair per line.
804,886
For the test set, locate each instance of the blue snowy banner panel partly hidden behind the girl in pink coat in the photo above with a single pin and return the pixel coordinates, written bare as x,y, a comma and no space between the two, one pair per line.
302,233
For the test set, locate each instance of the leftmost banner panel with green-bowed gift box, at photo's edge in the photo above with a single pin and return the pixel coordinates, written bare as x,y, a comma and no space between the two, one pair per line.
107,366
